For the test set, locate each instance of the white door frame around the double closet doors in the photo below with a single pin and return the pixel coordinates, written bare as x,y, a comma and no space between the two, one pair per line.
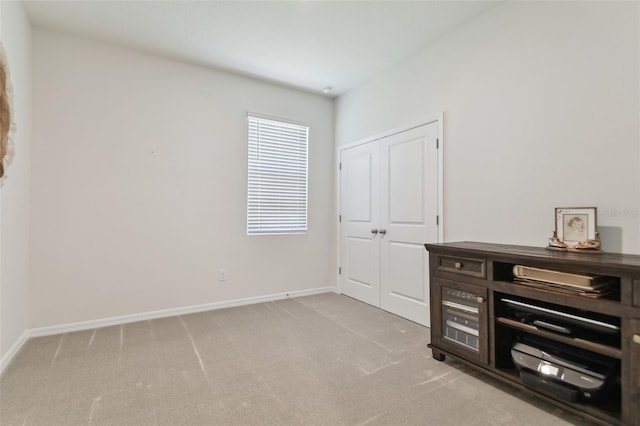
439,118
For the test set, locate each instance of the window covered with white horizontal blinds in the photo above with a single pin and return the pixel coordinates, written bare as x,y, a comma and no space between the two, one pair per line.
277,178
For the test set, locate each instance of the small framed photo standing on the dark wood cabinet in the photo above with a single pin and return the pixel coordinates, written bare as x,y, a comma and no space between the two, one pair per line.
576,224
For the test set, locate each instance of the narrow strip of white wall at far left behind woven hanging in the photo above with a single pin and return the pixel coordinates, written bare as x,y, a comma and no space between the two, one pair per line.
15,33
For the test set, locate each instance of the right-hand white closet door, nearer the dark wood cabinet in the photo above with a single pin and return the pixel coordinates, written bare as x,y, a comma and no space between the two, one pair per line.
409,195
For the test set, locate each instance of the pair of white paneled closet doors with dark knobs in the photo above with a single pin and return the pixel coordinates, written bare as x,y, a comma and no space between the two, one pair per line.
388,208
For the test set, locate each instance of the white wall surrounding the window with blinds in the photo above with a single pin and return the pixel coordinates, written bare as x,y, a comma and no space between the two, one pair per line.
139,185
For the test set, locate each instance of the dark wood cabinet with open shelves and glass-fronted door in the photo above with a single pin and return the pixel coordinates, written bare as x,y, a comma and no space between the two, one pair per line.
473,294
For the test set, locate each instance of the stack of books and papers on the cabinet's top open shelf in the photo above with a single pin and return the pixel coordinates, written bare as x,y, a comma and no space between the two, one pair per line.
593,286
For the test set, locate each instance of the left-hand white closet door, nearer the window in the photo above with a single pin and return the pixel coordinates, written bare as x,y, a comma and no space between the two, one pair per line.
359,208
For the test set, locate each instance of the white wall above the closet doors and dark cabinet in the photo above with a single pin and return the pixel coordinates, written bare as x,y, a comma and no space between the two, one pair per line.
541,111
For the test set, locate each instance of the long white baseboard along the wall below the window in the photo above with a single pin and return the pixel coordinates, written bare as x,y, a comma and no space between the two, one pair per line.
123,319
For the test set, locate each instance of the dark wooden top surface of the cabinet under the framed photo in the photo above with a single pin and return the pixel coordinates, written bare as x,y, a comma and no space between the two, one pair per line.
616,261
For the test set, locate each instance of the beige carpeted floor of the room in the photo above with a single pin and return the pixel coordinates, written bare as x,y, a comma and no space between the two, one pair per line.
317,360
